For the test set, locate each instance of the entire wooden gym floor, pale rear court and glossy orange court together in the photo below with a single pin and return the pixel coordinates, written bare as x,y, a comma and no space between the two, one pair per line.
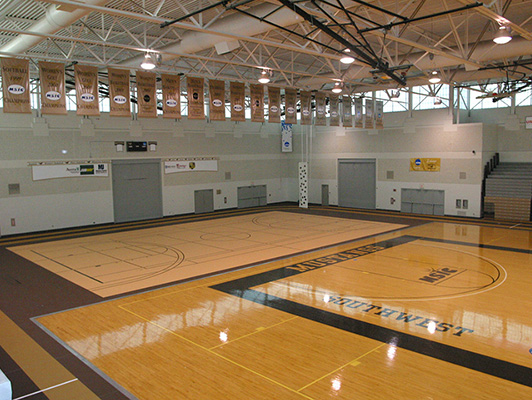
327,308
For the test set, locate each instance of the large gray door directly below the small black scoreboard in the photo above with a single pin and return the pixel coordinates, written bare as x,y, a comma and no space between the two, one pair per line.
137,190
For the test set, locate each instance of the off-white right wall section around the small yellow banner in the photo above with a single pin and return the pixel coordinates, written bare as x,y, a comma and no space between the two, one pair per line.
428,134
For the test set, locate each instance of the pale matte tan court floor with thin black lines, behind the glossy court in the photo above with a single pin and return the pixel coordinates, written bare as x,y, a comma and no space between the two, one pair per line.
116,263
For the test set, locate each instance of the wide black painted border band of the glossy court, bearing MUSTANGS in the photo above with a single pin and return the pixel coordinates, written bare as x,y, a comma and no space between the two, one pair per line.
465,358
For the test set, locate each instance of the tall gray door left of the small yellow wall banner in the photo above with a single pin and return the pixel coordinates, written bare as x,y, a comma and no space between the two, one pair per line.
357,183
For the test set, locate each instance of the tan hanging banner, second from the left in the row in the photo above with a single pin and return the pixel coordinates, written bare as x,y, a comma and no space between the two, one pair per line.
52,76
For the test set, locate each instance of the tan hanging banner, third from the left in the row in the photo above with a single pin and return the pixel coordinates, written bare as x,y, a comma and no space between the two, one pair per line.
87,98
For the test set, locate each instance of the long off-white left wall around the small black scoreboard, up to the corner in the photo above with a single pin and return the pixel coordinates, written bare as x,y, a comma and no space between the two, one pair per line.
249,152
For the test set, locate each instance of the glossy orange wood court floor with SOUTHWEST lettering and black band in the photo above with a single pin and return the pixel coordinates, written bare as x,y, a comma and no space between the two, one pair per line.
437,311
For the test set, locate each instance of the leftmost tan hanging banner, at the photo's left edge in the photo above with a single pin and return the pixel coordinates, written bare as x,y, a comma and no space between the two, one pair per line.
16,85
